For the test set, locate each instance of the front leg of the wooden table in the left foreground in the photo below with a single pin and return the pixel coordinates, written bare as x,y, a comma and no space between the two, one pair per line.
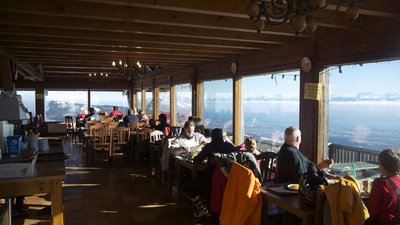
56,202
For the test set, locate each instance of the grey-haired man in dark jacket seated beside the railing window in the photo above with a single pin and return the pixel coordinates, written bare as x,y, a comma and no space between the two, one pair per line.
291,163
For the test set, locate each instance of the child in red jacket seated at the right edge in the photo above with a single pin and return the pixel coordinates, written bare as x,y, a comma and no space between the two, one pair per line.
383,200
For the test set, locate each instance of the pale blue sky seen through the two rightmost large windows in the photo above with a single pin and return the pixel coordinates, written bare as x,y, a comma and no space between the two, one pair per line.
382,77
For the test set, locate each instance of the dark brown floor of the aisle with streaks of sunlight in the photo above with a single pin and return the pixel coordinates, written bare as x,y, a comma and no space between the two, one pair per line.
115,194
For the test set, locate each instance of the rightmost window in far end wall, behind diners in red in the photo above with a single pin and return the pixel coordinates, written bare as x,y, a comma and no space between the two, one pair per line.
104,101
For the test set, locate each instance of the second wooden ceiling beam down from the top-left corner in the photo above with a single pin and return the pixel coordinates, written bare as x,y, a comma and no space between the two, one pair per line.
18,19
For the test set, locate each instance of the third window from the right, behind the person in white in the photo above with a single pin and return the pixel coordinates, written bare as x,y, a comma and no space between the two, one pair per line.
218,104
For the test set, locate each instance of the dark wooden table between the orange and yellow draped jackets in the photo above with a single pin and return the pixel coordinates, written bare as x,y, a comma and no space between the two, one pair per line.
290,203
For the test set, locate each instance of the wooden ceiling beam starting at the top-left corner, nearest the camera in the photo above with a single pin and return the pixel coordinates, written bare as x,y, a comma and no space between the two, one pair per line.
103,12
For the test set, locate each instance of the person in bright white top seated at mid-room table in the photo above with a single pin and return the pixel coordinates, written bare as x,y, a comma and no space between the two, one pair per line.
187,140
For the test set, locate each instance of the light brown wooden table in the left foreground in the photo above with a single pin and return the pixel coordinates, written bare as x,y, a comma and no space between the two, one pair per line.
48,179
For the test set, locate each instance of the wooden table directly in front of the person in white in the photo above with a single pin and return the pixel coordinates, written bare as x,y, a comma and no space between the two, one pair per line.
195,168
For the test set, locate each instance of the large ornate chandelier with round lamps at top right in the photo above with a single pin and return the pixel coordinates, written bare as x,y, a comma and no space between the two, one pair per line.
300,14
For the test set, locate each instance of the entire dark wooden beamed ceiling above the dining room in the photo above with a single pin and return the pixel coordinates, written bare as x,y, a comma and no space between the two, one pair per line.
71,39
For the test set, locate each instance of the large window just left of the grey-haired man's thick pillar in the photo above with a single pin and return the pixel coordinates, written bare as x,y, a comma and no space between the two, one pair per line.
270,104
